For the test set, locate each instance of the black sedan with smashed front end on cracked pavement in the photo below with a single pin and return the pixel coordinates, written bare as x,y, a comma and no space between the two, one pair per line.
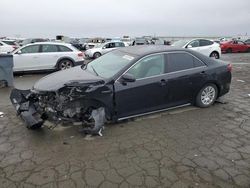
124,83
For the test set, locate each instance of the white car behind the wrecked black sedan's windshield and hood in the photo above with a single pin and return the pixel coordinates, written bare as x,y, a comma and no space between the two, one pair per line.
103,48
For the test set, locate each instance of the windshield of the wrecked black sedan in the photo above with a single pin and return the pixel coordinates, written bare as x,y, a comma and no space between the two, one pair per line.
109,64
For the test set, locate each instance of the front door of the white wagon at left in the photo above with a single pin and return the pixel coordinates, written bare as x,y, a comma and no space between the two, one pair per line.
27,58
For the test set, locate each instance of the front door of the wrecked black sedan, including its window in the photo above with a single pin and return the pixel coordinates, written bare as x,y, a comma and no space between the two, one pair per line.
148,92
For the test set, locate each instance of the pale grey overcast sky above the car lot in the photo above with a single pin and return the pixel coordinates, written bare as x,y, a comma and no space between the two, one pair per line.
112,18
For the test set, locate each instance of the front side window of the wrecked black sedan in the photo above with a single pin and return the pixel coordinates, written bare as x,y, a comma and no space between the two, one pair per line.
149,66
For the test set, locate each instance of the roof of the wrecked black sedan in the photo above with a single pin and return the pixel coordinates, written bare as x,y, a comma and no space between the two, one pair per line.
142,50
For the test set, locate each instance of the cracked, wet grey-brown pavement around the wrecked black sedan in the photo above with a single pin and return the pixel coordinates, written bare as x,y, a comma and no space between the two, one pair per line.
187,147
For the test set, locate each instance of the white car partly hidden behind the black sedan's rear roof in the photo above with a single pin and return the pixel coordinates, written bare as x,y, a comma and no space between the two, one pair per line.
204,46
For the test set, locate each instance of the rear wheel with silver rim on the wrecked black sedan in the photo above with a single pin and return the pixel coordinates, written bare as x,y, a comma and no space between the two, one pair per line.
207,96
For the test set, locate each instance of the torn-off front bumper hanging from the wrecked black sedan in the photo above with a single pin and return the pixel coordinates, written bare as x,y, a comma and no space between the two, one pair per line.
25,106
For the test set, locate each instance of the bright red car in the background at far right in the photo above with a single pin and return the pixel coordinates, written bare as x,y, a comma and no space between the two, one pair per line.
234,46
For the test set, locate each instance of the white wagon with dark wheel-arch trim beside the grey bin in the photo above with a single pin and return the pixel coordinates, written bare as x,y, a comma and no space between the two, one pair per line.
46,56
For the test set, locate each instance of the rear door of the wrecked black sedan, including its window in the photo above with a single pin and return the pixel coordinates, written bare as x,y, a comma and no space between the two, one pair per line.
183,77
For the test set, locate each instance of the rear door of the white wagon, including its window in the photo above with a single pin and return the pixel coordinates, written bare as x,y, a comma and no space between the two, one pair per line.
49,56
